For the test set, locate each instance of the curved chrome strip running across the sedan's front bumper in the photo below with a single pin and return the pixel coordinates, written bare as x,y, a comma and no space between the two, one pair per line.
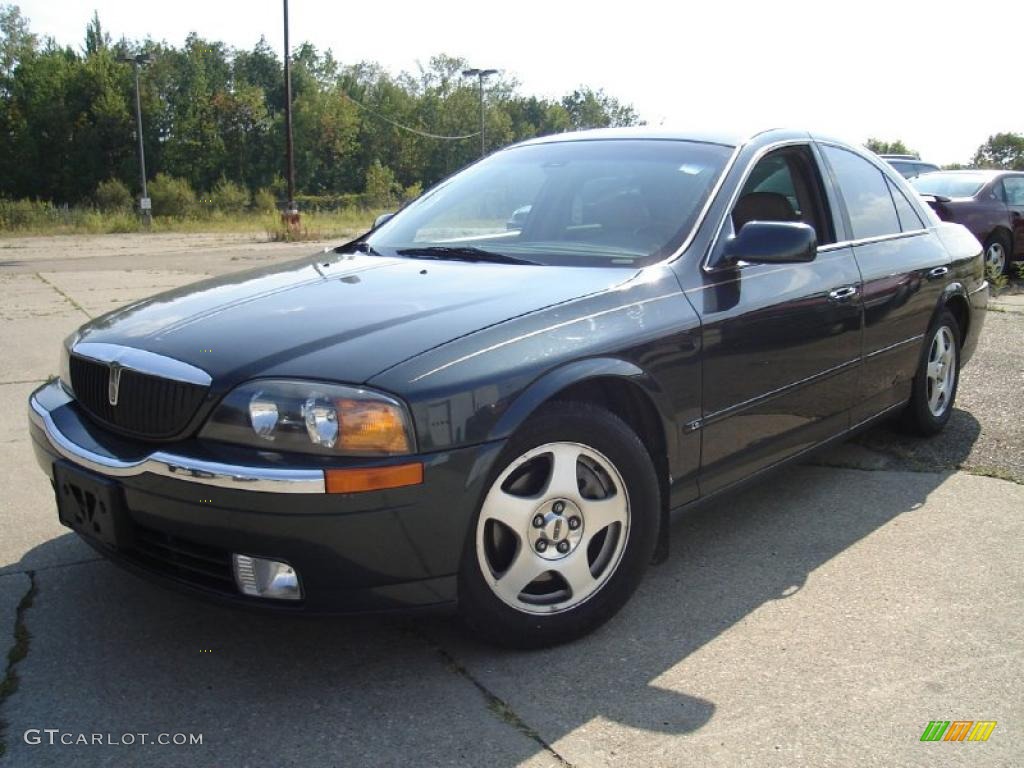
179,467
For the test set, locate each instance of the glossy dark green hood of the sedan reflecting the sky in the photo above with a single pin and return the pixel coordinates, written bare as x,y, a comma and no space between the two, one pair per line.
345,318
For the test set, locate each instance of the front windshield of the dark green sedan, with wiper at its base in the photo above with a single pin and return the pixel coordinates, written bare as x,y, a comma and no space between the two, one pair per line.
588,203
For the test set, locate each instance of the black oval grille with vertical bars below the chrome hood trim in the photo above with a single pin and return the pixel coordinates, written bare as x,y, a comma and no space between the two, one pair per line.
149,407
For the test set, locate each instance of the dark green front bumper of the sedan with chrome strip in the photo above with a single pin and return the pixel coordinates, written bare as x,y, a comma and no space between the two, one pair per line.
190,509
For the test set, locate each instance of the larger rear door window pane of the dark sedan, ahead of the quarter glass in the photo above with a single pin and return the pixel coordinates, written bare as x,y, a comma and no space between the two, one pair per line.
867,194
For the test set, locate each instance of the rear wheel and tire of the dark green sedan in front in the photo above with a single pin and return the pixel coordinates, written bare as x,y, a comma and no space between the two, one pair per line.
937,379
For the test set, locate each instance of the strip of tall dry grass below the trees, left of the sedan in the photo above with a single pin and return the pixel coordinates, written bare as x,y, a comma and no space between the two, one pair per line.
40,218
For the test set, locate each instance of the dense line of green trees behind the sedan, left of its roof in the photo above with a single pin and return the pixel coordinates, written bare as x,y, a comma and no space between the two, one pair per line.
214,113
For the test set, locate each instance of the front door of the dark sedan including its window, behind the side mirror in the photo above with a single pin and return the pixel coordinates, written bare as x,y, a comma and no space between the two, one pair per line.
782,343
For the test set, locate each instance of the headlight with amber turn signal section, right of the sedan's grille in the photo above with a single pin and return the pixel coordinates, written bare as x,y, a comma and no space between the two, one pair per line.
312,417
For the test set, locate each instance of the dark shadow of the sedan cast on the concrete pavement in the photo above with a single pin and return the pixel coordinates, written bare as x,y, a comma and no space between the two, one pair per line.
110,653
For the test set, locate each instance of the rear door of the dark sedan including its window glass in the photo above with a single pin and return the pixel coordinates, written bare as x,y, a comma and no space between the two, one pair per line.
904,267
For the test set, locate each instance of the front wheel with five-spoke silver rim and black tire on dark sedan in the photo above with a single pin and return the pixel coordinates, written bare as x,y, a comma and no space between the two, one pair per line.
565,532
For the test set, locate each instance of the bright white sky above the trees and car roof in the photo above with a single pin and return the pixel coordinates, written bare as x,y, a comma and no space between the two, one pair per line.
940,75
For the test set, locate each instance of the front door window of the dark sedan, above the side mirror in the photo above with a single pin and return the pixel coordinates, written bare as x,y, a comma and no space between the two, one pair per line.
785,187
